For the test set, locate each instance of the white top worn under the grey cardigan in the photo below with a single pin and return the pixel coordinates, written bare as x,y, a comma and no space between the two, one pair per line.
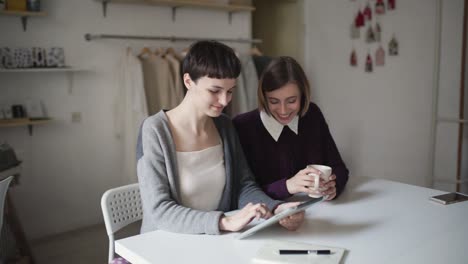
202,177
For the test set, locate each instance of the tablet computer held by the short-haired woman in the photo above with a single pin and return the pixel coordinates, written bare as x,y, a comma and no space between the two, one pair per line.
275,219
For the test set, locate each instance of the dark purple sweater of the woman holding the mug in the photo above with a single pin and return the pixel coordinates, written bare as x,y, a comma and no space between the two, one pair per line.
273,162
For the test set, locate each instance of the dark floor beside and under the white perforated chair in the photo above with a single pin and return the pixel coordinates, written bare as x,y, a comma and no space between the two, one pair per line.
84,246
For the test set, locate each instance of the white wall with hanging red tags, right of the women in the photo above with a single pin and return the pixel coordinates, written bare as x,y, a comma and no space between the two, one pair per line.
381,121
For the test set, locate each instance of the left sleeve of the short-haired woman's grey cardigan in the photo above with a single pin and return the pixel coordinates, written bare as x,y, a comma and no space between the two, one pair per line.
160,209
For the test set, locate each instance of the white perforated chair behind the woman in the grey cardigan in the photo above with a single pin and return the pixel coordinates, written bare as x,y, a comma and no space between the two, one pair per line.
120,206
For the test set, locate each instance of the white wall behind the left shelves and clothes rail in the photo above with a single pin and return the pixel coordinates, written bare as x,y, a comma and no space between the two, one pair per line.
67,166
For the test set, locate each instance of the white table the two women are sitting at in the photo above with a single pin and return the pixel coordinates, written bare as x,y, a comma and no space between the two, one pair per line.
377,221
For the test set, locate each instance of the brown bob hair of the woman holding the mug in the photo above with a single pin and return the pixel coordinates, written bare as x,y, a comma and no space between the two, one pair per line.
279,72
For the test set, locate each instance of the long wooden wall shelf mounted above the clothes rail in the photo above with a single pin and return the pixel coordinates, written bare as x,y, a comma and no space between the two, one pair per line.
174,4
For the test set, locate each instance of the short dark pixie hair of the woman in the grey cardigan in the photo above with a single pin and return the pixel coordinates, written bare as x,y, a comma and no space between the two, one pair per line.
212,59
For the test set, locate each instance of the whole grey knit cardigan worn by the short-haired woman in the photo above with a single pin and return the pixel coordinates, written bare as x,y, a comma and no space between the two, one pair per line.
158,180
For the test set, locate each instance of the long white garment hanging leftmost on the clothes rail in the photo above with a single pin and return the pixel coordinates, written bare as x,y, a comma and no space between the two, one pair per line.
130,110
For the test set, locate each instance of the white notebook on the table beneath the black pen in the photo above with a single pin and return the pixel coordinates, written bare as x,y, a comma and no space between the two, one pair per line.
269,253
